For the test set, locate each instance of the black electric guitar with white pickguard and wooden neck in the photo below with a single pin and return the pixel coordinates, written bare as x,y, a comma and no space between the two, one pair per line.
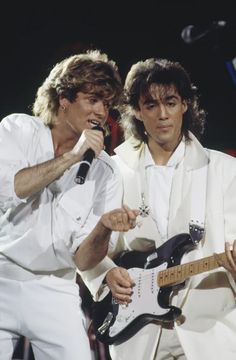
157,274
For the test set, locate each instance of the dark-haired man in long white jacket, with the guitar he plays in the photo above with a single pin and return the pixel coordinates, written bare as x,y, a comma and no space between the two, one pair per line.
186,197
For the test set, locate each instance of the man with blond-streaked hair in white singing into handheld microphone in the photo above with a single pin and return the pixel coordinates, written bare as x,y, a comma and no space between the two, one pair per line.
52,223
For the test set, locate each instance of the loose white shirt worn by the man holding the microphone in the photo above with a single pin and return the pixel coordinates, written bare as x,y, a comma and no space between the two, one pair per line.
42,233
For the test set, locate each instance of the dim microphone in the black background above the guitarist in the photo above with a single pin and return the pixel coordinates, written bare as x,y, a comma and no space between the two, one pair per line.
191,33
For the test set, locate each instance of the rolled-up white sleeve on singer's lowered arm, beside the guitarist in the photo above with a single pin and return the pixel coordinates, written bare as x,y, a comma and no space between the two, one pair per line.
79,208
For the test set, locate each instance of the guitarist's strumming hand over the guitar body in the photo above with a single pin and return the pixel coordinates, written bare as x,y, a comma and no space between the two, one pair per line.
120,284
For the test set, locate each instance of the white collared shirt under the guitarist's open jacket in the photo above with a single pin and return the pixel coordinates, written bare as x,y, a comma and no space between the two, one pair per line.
159,181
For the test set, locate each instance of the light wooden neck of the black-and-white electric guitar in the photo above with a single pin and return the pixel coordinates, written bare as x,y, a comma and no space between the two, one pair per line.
180,273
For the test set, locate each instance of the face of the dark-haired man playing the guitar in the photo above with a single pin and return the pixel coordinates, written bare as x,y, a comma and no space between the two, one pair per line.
162,115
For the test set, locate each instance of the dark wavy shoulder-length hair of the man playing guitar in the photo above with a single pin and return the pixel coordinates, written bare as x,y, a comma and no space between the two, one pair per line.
165,73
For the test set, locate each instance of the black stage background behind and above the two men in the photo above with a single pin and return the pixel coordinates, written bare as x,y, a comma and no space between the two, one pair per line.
36,35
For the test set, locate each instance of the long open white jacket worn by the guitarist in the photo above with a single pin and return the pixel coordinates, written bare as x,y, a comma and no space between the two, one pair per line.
208,300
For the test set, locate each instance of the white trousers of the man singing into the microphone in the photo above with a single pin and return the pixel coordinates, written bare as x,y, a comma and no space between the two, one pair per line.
48,312
